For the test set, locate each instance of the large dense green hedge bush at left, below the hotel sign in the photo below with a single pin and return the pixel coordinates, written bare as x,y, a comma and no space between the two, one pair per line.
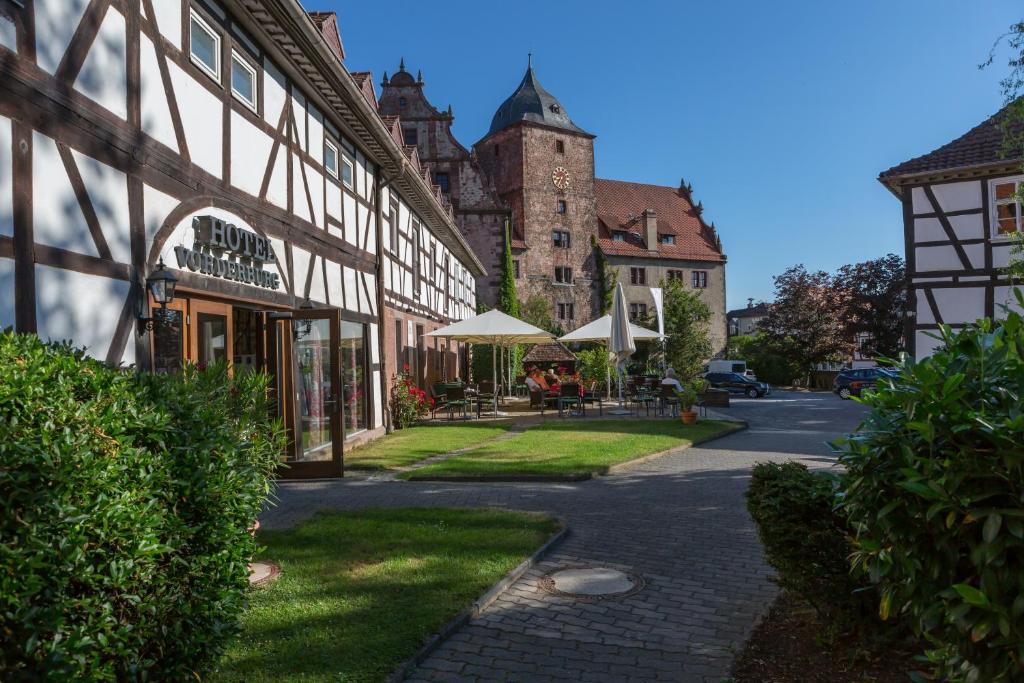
125,504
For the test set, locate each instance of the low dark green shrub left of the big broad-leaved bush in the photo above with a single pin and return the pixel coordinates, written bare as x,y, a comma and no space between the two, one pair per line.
806,541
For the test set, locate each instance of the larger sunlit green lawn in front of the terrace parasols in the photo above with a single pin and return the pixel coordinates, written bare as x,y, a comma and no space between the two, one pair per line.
571,448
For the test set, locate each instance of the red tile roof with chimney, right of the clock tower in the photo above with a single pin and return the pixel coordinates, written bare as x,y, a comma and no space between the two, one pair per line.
621,206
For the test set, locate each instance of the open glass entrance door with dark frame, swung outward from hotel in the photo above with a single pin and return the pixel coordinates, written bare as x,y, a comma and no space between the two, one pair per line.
316,416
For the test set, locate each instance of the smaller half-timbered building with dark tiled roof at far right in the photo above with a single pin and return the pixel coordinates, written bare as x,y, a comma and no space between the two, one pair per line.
960,216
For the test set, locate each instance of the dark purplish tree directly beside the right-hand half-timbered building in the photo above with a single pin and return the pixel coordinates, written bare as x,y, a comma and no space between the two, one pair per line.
878,303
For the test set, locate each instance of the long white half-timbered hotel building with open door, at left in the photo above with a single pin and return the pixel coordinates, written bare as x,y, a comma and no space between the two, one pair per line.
224,143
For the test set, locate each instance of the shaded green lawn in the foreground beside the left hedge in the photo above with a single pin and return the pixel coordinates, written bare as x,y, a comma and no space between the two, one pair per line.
360,593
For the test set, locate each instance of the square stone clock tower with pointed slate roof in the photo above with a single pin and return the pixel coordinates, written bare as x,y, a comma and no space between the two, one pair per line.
542,165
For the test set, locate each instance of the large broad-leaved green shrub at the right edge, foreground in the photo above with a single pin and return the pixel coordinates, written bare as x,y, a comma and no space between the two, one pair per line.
935,491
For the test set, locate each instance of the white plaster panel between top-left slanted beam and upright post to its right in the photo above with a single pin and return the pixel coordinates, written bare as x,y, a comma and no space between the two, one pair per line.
105,77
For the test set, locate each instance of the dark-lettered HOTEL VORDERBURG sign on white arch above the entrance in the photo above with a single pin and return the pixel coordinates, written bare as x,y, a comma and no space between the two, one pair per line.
225,250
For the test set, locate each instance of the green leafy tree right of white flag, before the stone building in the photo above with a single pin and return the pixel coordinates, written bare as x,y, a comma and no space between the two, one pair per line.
688,318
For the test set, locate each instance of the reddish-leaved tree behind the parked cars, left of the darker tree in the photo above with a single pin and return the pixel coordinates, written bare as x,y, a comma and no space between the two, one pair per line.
808,315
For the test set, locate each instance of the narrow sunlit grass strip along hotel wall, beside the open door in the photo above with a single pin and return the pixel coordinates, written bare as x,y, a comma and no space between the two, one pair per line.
406,447
